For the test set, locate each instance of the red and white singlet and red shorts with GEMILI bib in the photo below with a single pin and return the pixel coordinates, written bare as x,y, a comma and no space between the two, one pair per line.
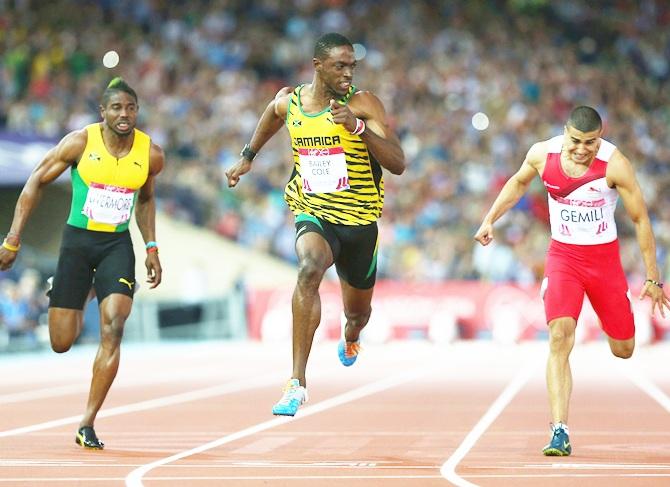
584,250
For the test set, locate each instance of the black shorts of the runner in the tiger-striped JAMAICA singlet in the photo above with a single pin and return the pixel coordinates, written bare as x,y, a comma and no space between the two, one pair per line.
354,248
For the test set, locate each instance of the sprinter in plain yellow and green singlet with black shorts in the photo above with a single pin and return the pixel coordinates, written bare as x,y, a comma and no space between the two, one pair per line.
112,165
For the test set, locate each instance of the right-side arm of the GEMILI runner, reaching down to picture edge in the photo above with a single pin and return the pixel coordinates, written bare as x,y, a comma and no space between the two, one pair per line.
621,174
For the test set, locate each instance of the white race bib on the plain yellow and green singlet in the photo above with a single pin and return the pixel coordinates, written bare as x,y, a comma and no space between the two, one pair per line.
108,204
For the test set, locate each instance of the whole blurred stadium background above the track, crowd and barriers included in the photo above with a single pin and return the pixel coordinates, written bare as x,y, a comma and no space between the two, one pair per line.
204,70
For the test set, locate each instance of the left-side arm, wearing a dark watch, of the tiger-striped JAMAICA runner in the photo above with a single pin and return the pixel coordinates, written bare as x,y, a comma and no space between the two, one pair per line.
269,124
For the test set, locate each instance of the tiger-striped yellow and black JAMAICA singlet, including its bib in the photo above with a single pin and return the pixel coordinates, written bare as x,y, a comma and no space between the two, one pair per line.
334,177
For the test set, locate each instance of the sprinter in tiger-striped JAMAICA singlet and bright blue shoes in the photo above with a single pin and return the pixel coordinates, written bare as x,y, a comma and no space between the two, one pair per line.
341,141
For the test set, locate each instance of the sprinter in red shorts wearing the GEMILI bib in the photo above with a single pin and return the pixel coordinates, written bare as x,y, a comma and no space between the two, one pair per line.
584,176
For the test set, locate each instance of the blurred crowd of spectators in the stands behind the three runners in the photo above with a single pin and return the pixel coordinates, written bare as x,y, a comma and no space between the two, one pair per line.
205,70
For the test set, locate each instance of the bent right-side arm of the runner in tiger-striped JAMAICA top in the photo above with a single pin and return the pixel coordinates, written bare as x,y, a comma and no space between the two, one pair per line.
380,140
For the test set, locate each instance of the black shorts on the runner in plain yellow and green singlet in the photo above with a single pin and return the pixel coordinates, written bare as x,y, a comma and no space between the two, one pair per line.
104,260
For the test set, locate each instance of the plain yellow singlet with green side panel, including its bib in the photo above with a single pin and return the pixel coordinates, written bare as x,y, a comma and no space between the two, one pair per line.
104,188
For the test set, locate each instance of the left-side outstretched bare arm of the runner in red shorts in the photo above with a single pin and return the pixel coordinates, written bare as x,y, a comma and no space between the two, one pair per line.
511,193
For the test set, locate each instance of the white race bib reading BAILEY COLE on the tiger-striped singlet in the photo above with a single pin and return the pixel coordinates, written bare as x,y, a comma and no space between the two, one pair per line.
323,170
